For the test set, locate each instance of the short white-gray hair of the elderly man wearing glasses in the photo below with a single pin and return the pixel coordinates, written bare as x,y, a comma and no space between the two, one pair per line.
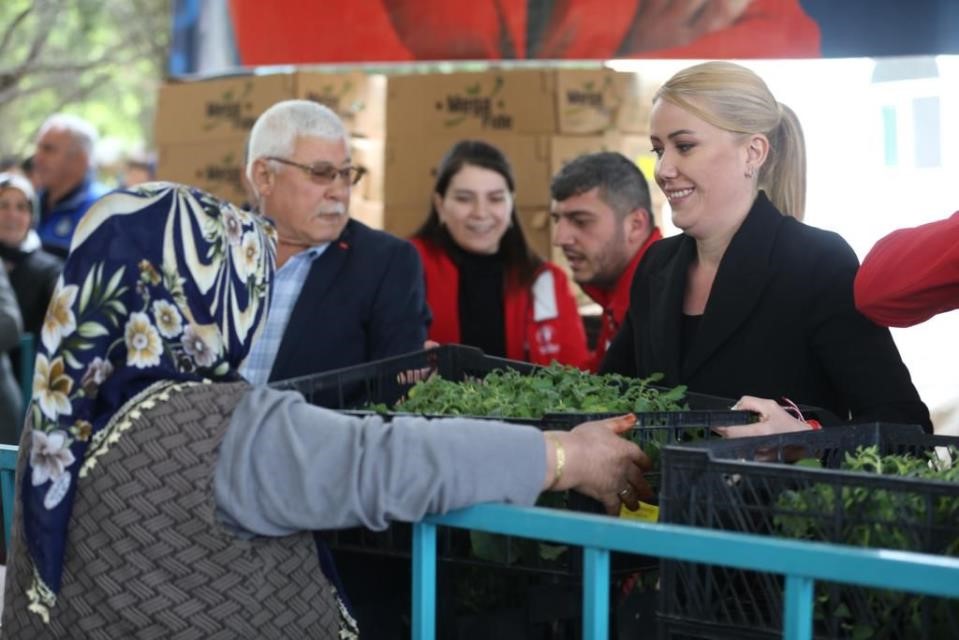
276,130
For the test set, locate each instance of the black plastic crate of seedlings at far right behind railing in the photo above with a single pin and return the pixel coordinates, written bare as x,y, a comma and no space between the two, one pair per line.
753,485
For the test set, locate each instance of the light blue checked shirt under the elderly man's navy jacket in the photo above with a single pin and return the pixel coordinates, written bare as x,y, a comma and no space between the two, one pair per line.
287,284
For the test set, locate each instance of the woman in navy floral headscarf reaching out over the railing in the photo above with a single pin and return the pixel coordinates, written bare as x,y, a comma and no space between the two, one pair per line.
152,503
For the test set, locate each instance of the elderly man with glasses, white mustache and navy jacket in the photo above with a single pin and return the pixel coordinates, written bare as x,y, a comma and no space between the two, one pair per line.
343,294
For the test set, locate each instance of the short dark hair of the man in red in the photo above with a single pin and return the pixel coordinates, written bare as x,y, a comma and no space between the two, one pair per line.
621,184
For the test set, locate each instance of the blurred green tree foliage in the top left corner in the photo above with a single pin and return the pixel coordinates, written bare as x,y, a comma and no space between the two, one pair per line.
100,59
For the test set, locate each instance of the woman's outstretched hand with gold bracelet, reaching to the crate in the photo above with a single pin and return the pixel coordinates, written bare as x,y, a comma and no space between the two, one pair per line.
601,464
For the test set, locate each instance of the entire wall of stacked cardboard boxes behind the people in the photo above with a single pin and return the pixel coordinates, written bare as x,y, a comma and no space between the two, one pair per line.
540,118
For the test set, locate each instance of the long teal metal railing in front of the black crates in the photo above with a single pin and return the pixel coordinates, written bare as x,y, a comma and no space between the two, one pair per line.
802,563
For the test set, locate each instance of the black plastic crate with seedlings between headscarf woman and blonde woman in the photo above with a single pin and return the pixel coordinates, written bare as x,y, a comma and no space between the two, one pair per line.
386,381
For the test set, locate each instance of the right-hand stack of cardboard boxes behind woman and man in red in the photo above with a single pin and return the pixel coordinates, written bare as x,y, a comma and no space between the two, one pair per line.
541,119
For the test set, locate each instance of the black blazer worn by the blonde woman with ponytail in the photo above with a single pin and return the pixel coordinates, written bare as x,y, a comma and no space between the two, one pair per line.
780,321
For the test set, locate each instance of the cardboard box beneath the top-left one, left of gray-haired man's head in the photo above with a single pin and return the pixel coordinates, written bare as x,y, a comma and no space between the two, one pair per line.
215,166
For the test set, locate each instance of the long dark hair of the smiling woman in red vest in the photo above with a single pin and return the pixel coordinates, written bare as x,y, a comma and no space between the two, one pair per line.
519,259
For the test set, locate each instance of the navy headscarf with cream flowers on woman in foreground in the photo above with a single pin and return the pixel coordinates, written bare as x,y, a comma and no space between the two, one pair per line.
163,283
